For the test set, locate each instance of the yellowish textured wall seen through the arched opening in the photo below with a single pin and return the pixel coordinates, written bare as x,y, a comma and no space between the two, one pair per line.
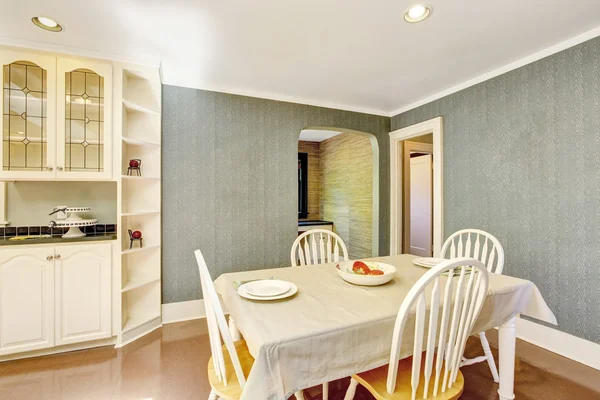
347,190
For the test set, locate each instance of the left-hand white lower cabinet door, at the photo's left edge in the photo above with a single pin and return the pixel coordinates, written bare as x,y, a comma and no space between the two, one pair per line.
26,299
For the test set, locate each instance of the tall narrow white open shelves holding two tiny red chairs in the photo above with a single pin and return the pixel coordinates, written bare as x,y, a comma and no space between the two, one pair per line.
139,206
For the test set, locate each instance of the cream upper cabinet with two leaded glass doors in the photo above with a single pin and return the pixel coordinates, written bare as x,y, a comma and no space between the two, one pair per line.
57,117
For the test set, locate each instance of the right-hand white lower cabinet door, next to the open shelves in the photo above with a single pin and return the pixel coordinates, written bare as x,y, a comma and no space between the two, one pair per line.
83,287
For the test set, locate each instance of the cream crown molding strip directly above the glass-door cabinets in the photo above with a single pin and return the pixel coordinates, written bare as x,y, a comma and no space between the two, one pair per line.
75,51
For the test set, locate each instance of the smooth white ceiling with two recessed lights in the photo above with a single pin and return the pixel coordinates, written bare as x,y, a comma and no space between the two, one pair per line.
357,55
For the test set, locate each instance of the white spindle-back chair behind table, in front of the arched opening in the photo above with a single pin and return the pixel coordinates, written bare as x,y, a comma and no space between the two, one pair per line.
317,246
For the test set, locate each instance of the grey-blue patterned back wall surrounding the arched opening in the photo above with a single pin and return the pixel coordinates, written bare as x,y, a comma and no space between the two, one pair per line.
230,183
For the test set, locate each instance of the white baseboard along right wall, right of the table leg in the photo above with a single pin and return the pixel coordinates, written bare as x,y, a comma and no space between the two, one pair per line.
564,344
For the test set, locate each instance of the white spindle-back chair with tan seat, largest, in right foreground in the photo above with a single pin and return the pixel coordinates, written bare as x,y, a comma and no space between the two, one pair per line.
439,377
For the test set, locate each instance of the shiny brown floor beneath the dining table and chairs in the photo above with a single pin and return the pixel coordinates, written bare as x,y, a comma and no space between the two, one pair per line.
170,364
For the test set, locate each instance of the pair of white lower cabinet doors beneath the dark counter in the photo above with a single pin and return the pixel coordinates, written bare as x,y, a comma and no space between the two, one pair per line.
54,295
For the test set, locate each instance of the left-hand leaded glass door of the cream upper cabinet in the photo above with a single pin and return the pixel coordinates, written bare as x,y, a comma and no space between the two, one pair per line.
28,116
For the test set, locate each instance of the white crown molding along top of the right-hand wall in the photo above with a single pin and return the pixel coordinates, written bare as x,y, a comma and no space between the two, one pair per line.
574,41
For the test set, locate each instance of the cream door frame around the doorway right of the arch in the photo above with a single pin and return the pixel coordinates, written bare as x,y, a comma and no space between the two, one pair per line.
435,127
